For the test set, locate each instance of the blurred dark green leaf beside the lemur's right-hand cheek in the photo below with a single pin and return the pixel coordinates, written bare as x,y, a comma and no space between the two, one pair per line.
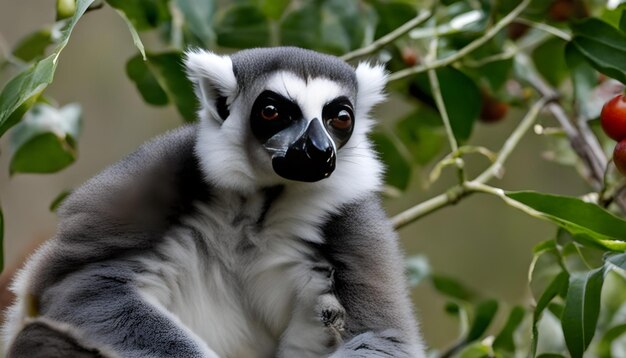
398,173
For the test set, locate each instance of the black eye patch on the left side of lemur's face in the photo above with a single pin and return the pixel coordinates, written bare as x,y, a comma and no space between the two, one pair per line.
283,112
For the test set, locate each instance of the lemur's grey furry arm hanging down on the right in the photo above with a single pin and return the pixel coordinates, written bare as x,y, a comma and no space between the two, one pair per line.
370,284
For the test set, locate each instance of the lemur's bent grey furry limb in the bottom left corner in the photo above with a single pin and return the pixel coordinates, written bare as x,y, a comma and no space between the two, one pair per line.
97,312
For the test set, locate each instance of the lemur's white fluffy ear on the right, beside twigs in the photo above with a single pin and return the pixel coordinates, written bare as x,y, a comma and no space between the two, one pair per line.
371,80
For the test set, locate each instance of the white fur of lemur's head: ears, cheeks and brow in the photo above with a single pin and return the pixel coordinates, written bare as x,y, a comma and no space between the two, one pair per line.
231,161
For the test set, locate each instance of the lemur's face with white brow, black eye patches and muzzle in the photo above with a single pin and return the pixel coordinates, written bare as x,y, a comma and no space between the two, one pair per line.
302,125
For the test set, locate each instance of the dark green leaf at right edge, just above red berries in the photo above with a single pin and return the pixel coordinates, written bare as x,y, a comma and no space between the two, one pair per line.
603,46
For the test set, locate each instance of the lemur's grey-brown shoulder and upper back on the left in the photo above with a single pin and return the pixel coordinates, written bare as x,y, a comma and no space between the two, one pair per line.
128,207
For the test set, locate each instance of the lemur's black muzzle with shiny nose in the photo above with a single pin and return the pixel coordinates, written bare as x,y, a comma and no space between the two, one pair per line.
310,158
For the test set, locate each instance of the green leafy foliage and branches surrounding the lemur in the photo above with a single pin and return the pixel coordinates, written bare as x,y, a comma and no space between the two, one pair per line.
472,55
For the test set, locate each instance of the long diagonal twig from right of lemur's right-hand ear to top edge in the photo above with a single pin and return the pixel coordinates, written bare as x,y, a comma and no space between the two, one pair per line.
465,50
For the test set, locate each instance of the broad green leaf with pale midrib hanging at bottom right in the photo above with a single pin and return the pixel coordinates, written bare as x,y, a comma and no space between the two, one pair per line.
582,307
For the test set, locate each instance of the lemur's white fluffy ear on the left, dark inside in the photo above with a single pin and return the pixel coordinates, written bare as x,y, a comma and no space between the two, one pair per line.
214,81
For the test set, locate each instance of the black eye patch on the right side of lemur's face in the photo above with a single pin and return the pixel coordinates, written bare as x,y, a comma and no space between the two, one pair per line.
338,116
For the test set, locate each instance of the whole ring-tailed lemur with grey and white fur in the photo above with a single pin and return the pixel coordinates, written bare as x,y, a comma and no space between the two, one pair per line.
255,233
